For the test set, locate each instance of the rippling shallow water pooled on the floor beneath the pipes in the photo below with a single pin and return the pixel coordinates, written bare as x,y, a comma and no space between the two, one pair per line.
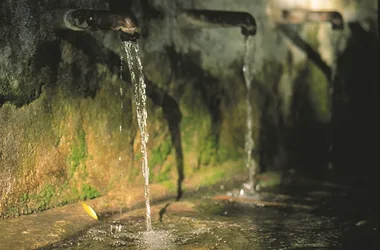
231,224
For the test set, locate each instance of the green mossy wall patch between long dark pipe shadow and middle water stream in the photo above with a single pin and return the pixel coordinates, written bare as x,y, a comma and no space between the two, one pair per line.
197,129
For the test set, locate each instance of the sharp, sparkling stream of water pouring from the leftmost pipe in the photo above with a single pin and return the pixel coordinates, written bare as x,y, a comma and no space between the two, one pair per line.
140,101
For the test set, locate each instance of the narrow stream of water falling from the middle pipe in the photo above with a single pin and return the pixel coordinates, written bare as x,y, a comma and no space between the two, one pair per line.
249,143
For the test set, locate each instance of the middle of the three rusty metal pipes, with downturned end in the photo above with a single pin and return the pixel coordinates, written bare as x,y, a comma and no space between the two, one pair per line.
213,19
